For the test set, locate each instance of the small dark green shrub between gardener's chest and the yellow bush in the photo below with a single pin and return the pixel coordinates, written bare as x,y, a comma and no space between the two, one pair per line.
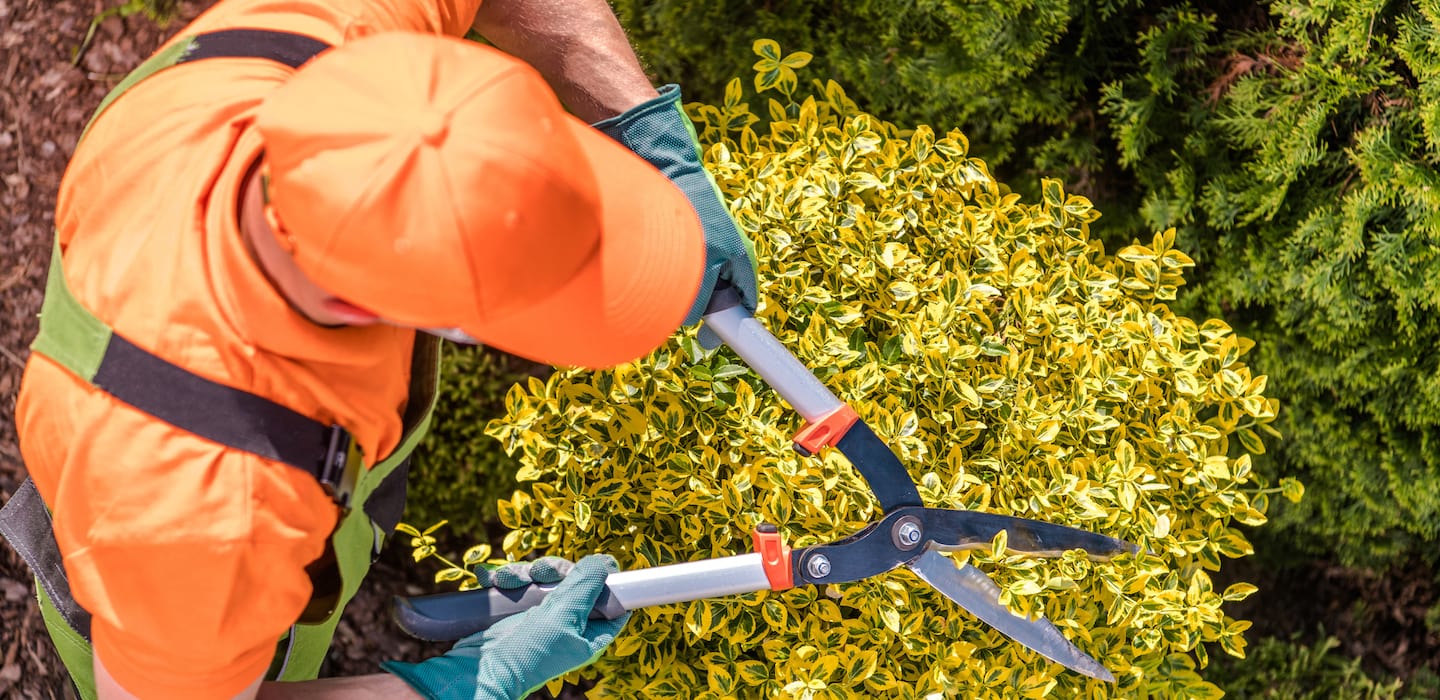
459,473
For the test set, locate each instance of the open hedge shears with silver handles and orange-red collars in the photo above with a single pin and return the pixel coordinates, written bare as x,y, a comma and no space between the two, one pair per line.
908,535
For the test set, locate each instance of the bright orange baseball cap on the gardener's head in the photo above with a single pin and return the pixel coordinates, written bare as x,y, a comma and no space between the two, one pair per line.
440,184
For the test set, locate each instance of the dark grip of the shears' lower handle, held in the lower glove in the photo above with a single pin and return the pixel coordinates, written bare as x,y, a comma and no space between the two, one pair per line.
449,617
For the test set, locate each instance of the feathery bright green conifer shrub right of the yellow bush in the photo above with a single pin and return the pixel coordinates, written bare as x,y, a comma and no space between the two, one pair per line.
1302,165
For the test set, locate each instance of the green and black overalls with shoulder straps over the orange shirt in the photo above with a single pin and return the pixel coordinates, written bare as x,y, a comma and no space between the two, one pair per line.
372,499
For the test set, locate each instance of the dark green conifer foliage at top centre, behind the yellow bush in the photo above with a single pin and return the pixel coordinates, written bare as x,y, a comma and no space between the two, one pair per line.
1020,78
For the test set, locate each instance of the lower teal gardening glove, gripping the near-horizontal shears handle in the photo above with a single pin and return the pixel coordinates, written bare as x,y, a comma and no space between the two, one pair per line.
519,655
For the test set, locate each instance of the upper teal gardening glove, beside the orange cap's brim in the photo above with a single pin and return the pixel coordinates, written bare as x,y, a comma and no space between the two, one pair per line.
660,132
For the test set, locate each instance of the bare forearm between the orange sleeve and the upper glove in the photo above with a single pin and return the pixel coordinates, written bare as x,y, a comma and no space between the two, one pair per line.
577,45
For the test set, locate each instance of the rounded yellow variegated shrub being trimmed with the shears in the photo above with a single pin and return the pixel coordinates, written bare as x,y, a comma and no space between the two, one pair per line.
1013,364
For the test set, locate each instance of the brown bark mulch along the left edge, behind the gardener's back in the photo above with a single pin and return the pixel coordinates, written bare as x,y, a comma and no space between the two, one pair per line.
42,109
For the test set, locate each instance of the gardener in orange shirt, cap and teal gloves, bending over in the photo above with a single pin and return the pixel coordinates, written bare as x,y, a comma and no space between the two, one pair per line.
228,375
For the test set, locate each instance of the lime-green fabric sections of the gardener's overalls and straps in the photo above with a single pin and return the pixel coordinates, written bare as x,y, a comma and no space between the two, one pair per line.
76,339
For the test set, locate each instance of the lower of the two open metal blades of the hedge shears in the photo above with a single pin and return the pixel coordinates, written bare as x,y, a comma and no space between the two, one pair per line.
974,591
